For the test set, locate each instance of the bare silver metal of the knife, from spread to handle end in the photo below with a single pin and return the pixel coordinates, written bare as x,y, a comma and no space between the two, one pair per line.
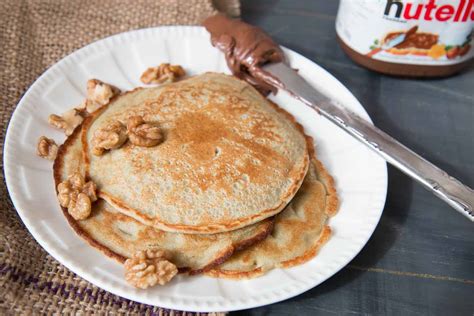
449,189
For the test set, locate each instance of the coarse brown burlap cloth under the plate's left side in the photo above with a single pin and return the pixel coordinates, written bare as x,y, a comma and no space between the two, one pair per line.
34,34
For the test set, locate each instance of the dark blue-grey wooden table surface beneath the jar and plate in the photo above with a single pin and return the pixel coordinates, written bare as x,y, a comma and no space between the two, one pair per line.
420,260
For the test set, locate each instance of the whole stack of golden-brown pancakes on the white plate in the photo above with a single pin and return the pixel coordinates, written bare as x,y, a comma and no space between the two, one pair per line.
233,188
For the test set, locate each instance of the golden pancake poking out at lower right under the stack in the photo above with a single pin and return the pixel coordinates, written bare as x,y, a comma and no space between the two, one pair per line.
299,231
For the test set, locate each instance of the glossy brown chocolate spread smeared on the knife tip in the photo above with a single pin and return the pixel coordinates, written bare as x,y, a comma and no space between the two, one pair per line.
246,48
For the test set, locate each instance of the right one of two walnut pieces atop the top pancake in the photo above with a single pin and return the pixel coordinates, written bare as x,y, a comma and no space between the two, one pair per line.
143,134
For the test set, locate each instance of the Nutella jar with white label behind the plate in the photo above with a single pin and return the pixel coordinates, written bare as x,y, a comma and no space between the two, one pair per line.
416,38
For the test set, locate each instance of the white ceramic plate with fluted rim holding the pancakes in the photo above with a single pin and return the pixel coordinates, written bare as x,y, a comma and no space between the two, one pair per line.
361,176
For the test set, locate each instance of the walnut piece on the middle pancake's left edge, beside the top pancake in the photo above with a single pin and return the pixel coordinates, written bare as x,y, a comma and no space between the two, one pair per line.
77,196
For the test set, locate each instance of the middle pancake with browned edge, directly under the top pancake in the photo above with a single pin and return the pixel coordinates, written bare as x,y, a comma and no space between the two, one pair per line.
119,236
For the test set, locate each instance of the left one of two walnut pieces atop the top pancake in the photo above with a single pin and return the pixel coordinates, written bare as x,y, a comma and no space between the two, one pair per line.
110,137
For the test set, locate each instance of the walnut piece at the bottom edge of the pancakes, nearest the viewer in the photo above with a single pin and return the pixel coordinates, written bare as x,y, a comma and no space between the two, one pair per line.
148,268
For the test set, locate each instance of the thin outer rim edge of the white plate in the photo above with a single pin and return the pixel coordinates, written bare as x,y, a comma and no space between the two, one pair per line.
135,295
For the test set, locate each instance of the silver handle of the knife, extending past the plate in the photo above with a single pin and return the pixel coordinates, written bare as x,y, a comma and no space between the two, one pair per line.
449,189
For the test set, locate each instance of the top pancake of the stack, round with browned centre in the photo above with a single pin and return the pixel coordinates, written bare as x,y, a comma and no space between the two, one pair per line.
230,157
